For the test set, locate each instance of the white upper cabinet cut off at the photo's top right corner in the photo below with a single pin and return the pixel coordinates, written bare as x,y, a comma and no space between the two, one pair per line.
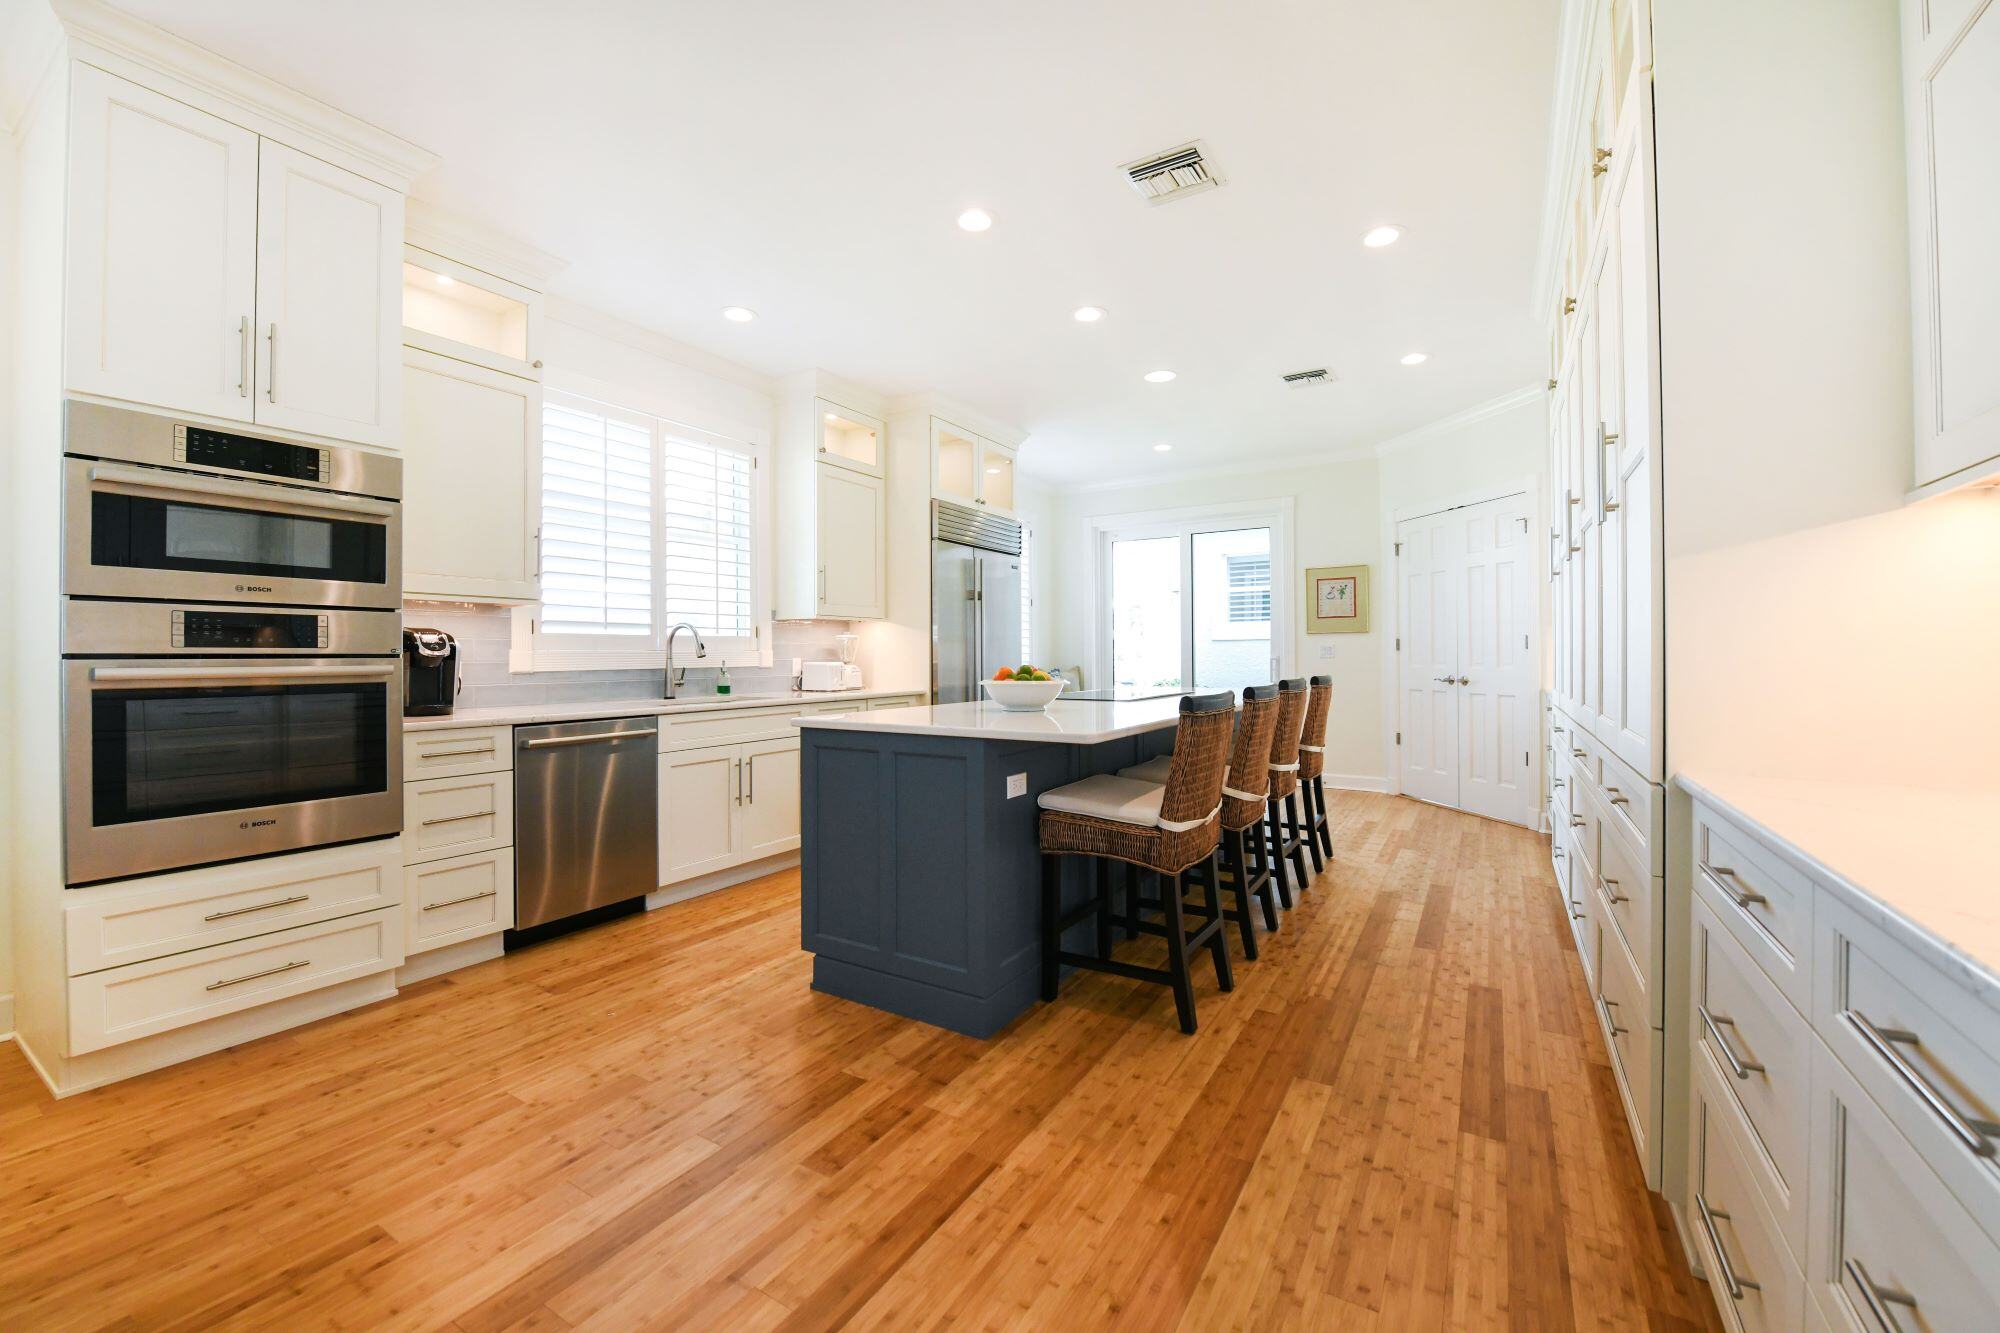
1951,73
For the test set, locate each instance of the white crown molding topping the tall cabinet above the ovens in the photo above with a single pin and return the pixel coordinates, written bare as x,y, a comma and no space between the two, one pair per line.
287,113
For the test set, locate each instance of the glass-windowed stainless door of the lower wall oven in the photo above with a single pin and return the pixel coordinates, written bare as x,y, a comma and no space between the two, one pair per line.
179,764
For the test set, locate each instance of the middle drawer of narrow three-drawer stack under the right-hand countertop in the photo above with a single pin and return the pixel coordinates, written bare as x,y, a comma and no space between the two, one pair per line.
1761,1054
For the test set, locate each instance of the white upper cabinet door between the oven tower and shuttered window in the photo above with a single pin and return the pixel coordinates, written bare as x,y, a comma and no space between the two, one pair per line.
471,443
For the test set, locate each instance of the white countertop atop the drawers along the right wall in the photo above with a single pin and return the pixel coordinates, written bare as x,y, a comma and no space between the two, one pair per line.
1921,864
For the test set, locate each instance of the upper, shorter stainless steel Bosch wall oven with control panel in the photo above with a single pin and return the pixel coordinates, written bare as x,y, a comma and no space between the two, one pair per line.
167,509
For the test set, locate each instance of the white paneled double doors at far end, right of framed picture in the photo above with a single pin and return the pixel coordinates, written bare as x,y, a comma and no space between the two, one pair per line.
1469,659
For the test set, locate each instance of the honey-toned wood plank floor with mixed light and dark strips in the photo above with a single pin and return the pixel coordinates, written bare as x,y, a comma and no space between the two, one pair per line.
1403,1118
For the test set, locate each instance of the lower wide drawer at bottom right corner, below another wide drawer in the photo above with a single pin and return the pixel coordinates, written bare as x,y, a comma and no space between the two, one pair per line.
1891,1246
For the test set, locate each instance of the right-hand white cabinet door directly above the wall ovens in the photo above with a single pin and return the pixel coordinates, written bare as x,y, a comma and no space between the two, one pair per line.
329,305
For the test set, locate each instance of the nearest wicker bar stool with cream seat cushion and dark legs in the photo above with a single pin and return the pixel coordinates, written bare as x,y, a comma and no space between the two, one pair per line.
1163,830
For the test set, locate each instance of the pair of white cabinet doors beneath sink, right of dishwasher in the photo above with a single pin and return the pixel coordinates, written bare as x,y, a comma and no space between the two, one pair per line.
727,806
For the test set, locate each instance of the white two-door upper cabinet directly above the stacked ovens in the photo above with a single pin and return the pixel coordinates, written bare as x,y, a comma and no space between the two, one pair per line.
221,273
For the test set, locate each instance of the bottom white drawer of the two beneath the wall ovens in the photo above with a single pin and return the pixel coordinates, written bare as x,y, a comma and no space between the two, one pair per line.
127,1004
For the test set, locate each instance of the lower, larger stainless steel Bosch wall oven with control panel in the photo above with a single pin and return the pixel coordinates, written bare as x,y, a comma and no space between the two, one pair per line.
199,734
